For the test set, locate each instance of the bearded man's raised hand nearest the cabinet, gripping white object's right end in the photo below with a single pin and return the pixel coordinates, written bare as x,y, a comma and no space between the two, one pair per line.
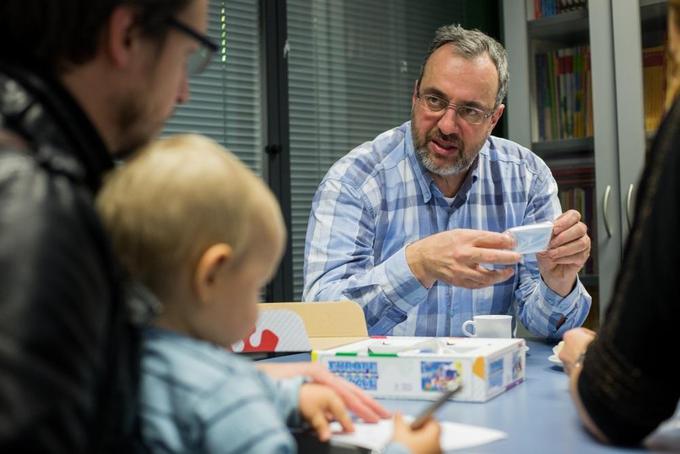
567,252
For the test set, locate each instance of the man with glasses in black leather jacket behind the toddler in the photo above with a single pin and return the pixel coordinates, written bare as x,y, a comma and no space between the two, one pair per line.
80,82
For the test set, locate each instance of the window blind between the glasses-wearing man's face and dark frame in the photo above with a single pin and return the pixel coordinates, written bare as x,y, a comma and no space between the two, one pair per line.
225,102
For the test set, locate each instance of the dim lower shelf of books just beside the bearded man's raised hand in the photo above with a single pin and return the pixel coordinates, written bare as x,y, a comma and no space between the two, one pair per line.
576,191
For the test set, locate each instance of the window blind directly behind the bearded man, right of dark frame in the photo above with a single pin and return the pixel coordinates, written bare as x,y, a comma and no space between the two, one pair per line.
351,70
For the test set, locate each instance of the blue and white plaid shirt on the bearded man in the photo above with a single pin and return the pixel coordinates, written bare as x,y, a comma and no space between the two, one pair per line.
378,199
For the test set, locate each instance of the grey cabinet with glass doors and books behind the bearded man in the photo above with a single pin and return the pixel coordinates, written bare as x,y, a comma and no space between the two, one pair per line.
583,95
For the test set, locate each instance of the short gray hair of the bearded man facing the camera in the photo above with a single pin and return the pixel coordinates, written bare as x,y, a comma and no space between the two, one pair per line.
470,44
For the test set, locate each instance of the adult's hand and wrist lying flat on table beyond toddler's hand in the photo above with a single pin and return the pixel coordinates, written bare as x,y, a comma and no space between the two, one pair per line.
356,399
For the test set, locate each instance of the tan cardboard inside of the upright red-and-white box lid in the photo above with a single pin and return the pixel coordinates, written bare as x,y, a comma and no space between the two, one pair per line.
327,318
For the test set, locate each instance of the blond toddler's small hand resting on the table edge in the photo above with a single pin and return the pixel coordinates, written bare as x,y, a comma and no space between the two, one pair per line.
319,405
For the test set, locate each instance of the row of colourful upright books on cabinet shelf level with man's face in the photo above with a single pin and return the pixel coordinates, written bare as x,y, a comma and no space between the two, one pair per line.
563,93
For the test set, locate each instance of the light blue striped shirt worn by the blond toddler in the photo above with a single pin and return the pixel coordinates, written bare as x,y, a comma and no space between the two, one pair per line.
197,397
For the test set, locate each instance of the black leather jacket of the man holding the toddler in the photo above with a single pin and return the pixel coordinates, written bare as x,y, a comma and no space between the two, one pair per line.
68,356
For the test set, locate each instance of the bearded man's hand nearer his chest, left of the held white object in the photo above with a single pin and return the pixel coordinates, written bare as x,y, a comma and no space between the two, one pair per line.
457,257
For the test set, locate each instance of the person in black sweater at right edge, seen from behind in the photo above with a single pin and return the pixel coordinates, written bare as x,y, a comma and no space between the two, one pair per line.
621,380
